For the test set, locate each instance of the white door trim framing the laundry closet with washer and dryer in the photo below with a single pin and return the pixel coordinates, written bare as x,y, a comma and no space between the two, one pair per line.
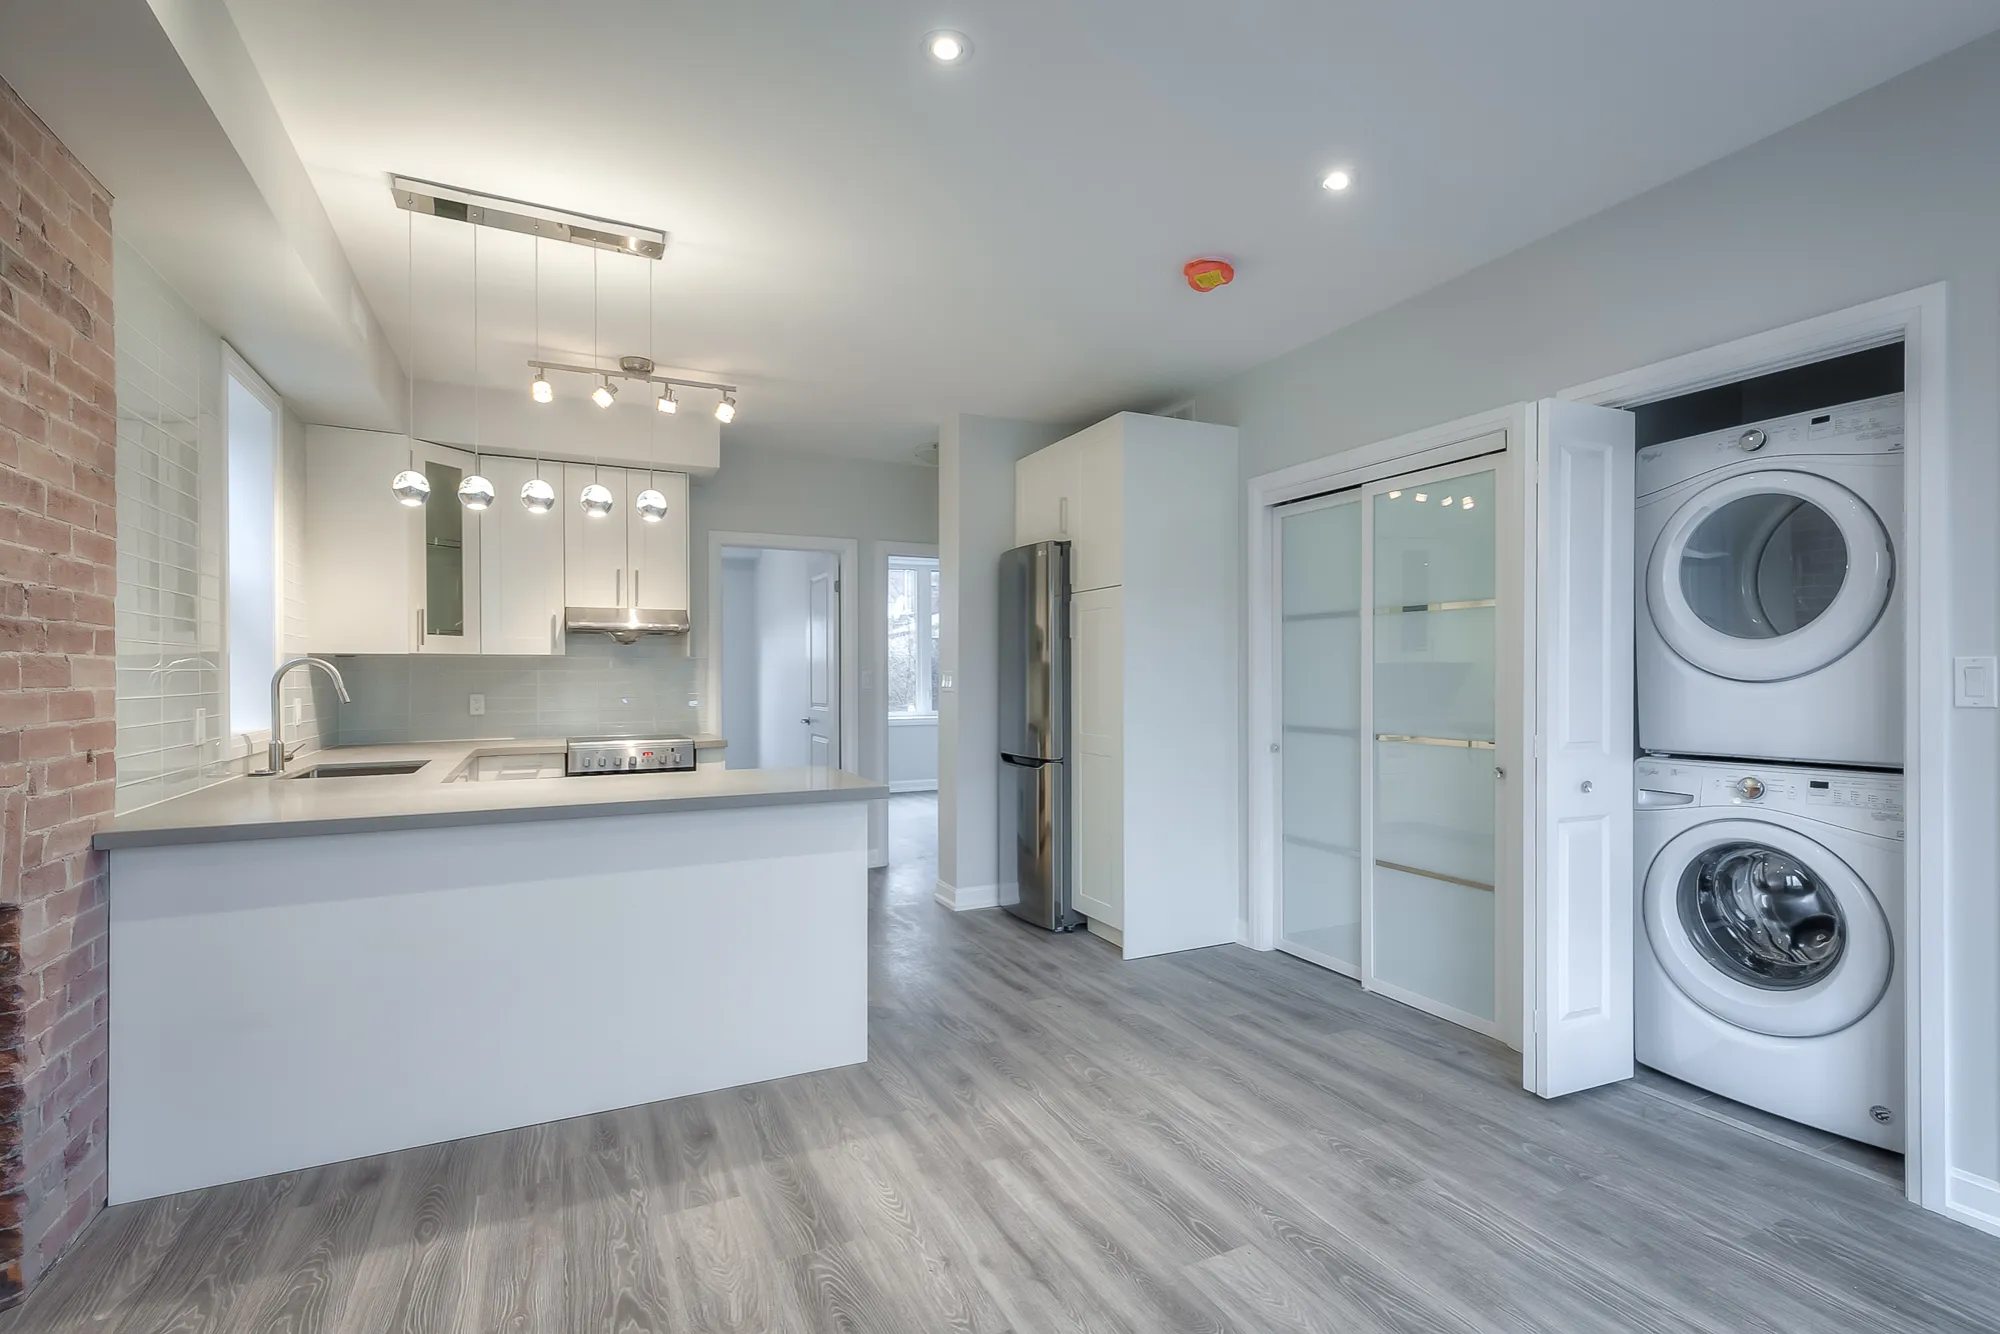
1917,319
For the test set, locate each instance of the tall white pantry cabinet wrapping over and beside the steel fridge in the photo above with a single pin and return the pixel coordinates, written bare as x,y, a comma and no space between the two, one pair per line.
1151,511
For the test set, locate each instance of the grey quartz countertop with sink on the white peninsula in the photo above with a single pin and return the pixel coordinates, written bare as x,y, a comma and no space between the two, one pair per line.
433,797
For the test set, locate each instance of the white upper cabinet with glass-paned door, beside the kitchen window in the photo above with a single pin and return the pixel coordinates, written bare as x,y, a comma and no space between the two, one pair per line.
385,577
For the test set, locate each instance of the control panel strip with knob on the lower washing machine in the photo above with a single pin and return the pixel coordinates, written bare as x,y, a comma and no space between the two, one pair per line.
1855,801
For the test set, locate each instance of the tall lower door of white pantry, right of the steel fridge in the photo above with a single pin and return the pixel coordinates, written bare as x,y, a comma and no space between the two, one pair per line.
1097,641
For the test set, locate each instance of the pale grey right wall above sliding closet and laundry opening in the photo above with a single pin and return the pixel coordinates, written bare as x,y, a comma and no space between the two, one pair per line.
1891,191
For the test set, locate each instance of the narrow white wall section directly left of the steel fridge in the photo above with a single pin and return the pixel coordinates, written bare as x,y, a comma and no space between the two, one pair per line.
977,459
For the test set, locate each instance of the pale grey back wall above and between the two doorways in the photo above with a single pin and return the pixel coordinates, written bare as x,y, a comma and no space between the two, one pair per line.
821,497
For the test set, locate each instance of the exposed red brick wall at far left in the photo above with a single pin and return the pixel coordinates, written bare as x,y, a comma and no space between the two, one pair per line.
59,577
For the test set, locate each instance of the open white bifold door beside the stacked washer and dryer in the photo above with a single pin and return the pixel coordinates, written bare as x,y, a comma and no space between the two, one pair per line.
1579,915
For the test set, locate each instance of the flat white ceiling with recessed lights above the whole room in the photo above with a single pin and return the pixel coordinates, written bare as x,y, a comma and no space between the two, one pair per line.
871,243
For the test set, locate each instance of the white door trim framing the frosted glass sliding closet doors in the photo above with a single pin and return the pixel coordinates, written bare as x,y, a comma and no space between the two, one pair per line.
1487,433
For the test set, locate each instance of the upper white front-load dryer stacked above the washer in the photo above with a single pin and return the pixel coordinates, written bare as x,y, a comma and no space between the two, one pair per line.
1769,599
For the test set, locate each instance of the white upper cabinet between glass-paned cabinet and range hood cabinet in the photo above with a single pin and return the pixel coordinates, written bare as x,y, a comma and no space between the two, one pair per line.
521,567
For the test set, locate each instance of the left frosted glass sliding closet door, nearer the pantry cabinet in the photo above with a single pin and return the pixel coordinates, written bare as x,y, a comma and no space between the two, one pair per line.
1321,715
